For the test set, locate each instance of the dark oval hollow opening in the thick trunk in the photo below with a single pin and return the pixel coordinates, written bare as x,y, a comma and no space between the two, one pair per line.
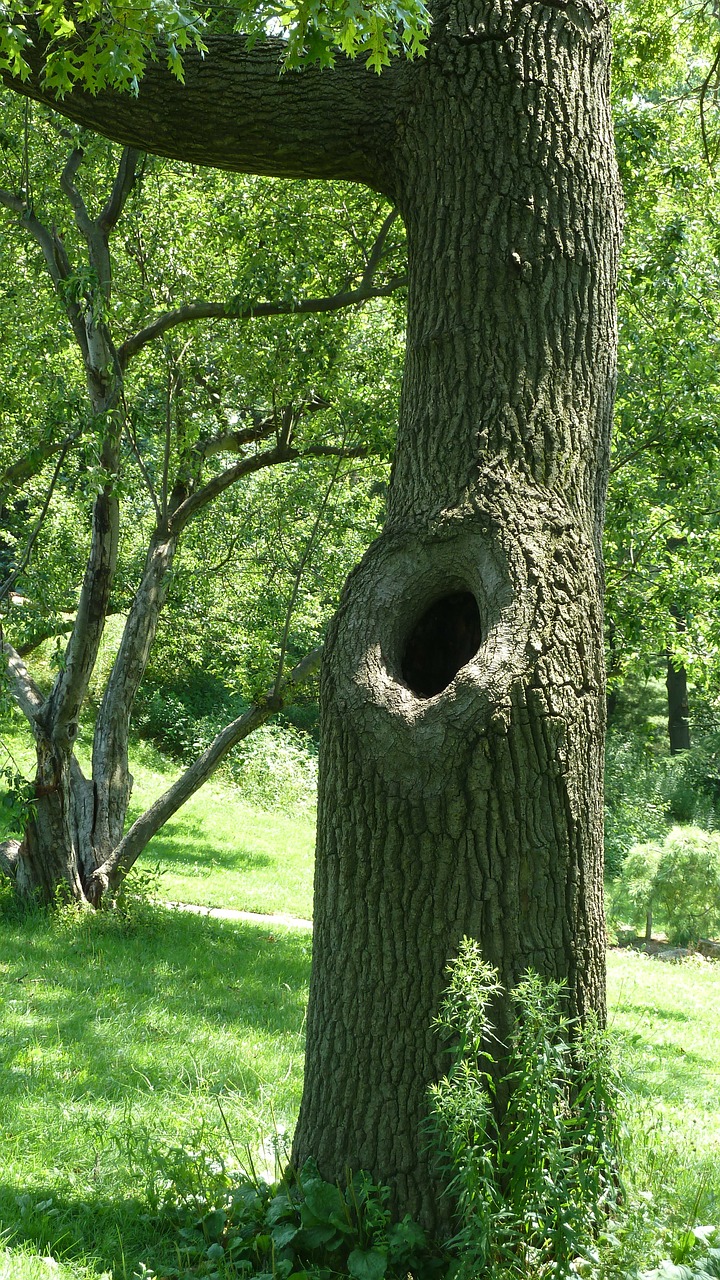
441,643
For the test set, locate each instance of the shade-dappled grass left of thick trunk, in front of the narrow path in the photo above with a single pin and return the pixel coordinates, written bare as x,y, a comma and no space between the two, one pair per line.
130,1050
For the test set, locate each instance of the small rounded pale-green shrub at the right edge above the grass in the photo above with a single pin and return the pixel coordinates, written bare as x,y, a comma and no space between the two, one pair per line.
678,883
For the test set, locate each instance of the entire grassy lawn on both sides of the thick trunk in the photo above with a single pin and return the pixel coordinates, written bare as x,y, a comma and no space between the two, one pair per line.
147,1052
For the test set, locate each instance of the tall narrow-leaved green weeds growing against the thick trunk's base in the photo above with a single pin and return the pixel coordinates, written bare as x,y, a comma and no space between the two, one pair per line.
532,1178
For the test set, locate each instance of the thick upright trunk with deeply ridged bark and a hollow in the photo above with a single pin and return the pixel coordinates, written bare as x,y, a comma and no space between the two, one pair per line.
472,806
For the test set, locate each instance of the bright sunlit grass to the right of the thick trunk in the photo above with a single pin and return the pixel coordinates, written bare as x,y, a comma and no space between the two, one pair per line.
666,1020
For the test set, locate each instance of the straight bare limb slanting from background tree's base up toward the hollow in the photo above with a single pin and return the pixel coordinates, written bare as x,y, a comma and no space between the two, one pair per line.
151,822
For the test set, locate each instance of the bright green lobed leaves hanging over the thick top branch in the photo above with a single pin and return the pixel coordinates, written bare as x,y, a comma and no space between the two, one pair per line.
107,44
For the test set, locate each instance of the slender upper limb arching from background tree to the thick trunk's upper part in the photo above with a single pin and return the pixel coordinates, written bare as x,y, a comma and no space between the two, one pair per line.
235,312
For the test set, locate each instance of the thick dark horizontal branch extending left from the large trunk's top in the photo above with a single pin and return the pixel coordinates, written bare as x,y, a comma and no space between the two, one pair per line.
236,112
